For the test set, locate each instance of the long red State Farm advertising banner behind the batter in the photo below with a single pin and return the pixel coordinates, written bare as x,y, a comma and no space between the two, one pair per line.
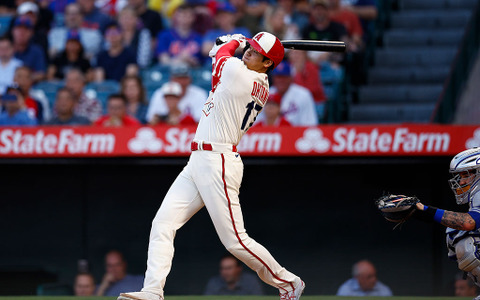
398,140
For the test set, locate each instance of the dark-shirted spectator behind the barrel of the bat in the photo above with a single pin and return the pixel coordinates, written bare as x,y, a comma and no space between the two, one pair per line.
322,28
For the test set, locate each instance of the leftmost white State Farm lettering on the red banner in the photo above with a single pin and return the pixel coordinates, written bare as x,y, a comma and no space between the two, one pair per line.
66,141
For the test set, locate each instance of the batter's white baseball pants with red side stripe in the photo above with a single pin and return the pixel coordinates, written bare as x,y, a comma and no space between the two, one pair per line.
210,179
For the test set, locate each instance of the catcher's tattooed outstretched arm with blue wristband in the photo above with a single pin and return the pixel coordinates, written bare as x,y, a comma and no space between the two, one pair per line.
456,220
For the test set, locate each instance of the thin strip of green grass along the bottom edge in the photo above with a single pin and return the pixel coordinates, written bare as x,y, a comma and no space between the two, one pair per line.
233,298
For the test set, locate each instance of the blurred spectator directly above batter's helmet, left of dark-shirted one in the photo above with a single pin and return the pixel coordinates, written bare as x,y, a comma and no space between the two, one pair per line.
275,23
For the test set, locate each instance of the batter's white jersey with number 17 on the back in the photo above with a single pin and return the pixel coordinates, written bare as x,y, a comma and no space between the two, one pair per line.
238,95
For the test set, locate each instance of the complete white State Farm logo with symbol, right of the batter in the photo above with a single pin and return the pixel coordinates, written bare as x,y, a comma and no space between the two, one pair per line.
349,140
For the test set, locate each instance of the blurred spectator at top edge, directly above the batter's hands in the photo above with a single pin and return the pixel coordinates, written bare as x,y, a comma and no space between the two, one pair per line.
249,13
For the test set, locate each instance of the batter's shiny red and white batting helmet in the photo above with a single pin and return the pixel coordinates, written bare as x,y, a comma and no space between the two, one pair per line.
269,46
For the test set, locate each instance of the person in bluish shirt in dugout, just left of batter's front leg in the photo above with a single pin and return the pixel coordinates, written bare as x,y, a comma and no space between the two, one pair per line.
116,279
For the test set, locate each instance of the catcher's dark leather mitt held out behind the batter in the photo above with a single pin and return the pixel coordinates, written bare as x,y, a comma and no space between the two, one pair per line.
396,208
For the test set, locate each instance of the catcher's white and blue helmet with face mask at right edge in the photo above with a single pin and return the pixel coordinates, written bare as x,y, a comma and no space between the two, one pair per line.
465,166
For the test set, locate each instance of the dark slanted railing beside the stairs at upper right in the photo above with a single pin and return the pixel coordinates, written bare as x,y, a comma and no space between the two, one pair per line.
459,72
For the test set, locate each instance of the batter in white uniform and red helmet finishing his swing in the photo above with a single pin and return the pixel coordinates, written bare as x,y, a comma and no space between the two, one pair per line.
214,171
